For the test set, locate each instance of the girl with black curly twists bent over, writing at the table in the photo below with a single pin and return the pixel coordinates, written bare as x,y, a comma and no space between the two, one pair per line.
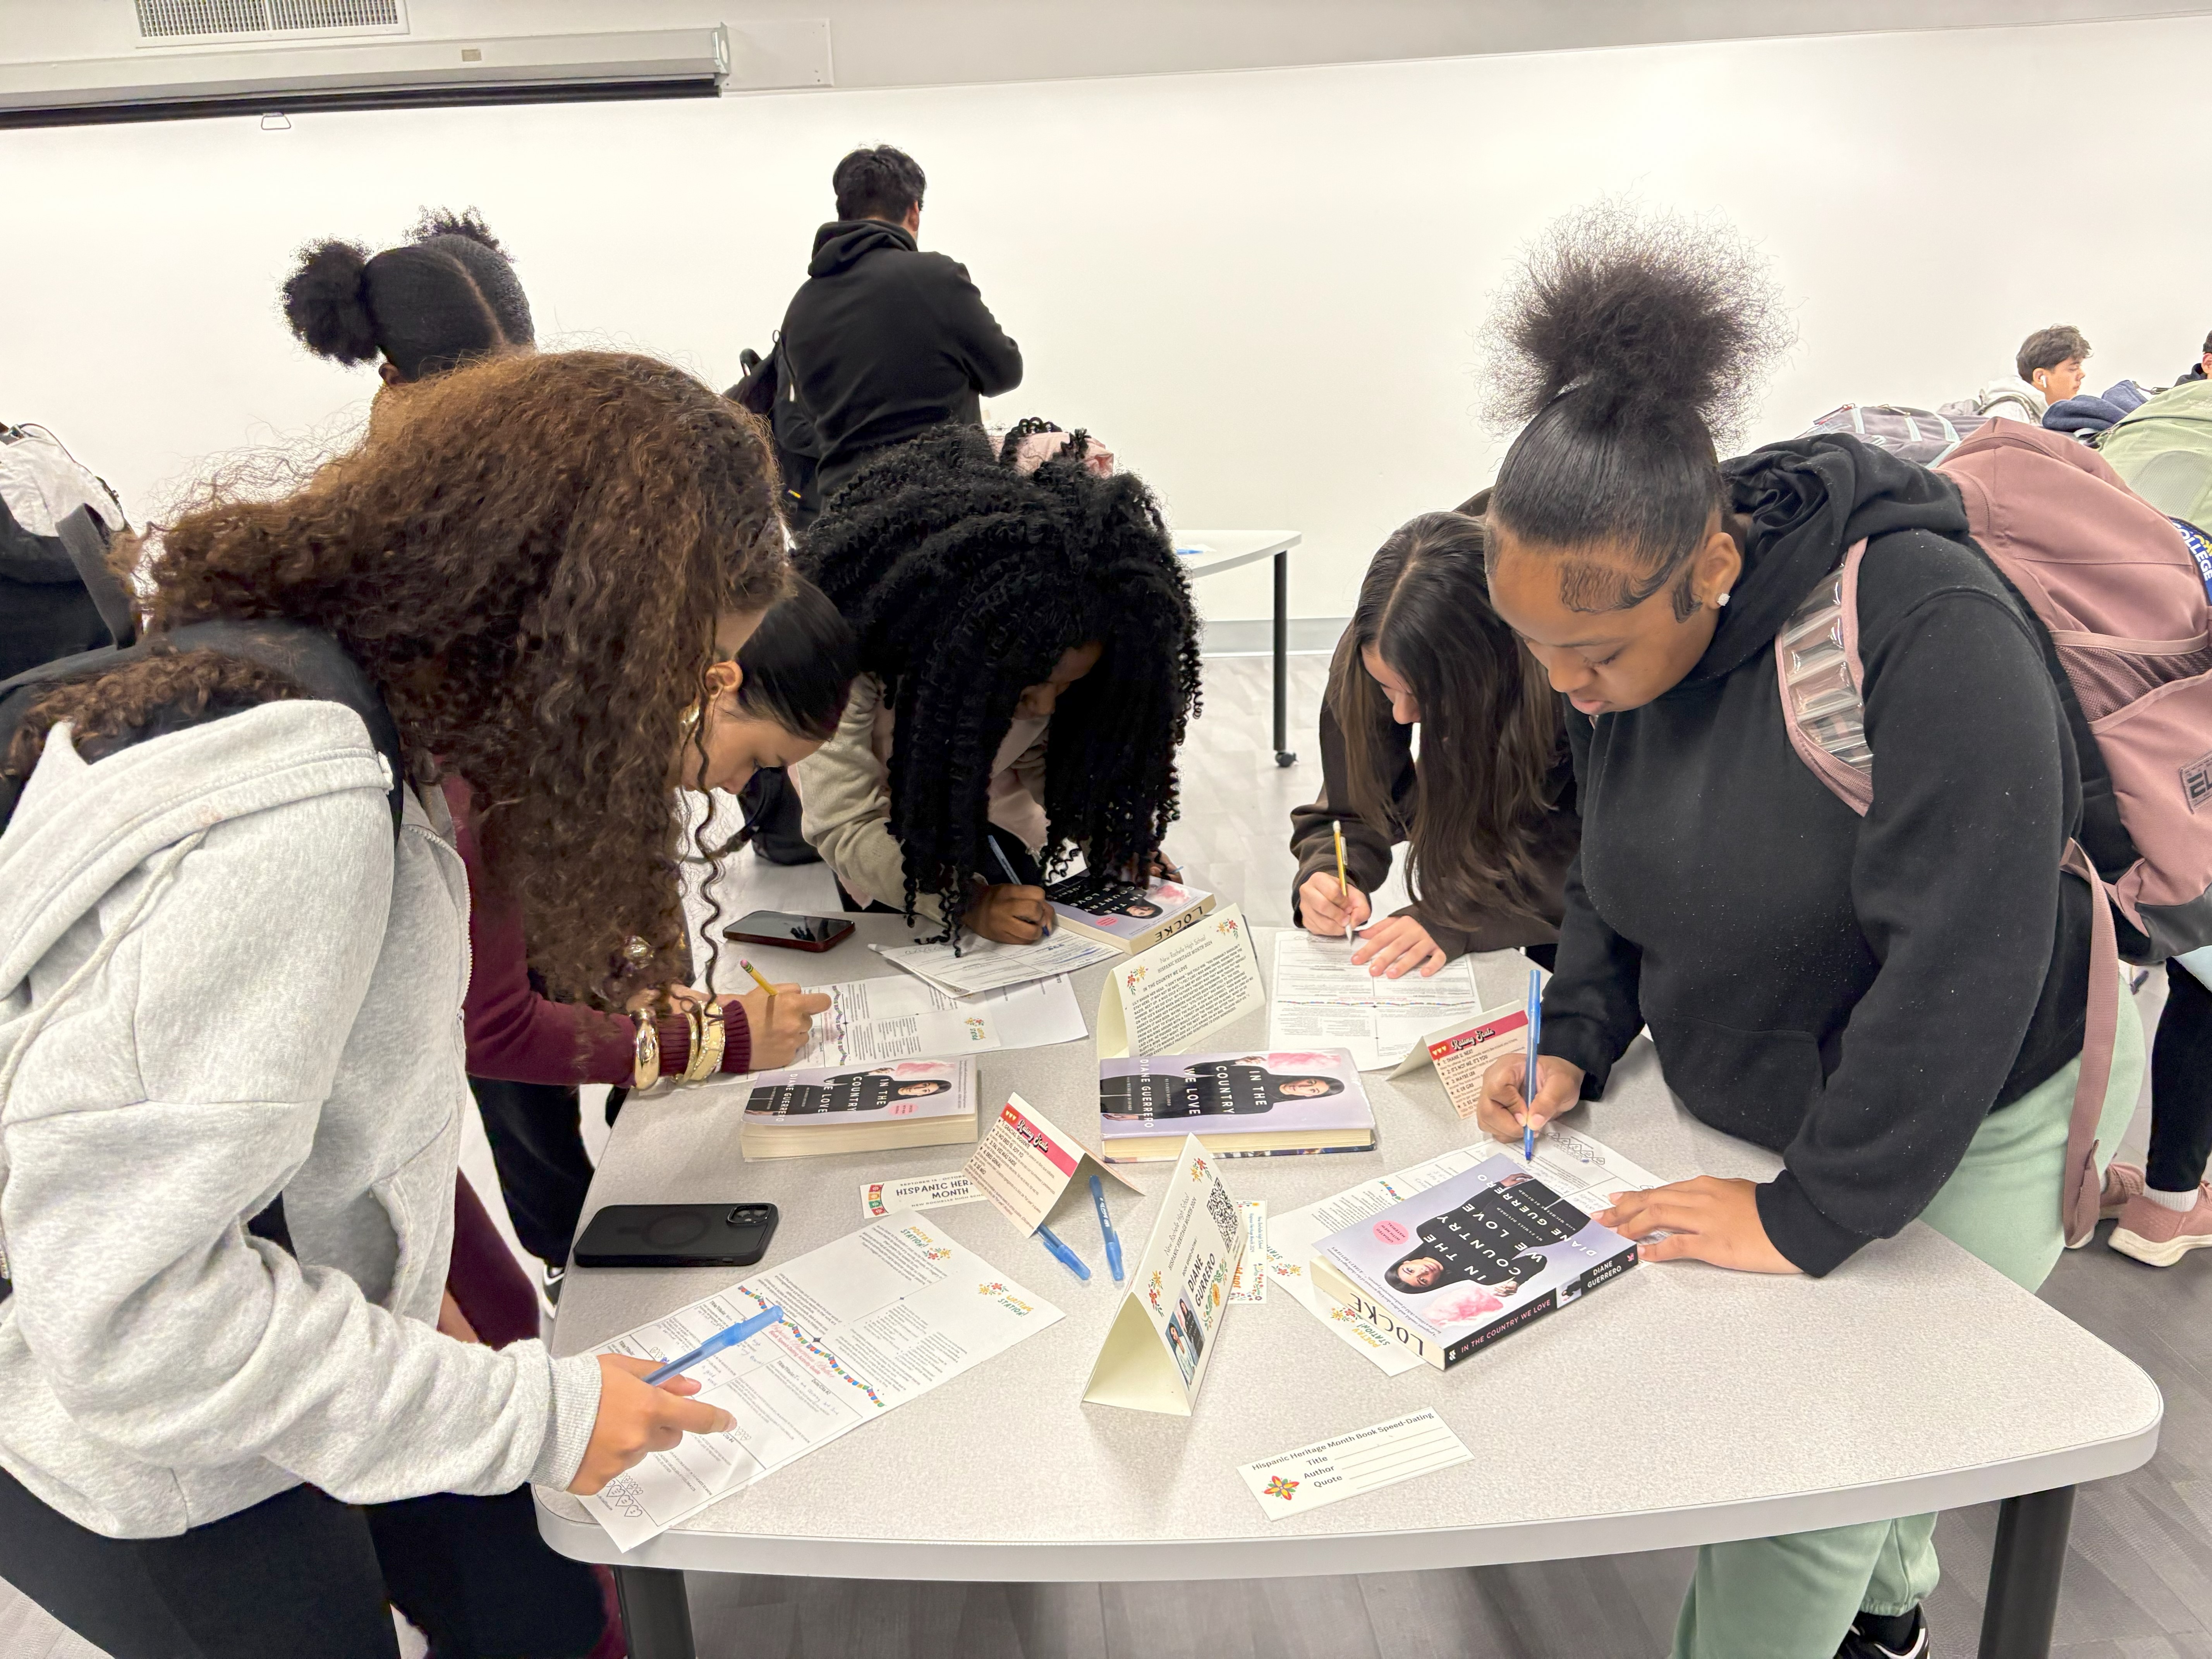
1027,669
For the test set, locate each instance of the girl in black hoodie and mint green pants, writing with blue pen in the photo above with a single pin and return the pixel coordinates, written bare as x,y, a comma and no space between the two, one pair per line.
1895,1001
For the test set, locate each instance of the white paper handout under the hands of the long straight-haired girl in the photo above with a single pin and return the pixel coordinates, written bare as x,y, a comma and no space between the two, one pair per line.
1324,1001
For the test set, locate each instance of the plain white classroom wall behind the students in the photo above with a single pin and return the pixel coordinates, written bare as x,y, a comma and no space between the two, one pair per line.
1262,286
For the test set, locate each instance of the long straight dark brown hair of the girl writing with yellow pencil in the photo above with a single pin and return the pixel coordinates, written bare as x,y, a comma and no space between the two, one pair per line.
1490,724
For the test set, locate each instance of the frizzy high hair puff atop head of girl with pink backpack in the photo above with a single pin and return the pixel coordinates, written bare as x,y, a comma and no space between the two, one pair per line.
1660,309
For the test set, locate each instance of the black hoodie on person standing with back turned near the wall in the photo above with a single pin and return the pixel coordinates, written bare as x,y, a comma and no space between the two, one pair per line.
886,342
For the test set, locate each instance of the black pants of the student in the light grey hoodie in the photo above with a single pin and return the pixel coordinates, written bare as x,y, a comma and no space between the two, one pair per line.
304,1574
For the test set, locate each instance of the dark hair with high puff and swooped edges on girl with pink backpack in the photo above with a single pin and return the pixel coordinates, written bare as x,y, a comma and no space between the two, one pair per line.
1629,346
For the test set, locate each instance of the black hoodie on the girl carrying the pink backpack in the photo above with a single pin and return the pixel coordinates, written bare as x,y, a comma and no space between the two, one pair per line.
1857,994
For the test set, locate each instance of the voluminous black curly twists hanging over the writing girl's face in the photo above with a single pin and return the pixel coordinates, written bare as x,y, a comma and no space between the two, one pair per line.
968,583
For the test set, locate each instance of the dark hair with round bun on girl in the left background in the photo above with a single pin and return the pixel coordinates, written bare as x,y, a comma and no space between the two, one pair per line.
444,298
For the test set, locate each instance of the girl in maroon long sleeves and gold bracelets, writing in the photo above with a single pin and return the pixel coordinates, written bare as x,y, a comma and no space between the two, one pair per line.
528,1054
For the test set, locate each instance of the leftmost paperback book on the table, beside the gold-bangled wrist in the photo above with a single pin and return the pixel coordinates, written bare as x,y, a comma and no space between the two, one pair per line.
848,1109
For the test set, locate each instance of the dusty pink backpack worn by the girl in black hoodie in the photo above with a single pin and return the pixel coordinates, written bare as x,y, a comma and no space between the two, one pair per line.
2131,620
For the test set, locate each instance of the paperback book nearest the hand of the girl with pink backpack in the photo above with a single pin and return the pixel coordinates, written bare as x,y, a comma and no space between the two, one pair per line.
1468,1262
